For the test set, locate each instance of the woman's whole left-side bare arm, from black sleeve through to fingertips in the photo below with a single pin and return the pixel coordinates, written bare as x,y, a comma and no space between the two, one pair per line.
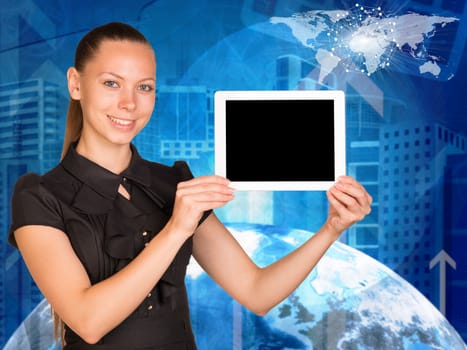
93,310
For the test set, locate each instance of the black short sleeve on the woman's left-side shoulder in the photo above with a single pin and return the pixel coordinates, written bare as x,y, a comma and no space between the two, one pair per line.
33,204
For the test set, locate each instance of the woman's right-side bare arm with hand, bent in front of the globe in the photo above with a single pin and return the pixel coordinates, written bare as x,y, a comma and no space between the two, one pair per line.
260,289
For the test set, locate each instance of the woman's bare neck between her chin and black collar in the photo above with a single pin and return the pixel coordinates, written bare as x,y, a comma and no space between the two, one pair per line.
114,158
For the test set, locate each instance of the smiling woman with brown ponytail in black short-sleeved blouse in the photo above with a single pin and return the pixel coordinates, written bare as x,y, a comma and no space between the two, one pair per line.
107,235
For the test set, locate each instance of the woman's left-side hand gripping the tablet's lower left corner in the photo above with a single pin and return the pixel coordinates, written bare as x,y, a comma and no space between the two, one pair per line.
195,196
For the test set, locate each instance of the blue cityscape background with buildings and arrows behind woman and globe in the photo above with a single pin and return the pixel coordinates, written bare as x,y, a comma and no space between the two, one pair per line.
406,131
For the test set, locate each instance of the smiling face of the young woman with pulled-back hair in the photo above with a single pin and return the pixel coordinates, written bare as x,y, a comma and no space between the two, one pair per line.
117,91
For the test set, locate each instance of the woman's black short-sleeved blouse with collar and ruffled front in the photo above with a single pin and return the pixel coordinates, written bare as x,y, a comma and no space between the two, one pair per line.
107,231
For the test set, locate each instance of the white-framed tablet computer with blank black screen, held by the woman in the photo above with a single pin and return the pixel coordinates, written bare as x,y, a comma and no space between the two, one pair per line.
280,140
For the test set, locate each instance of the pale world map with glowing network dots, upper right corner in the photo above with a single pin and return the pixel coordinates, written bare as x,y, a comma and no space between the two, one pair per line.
367,40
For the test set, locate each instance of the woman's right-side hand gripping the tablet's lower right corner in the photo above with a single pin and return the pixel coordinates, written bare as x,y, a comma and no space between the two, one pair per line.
349,203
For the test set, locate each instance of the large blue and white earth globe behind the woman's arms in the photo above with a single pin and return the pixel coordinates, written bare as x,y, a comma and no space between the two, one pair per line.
349,301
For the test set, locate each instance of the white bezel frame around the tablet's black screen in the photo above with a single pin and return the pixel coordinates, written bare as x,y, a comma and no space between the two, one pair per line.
222,96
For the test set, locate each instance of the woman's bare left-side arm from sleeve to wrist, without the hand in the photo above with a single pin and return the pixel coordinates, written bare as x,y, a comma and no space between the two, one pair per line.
91,311
